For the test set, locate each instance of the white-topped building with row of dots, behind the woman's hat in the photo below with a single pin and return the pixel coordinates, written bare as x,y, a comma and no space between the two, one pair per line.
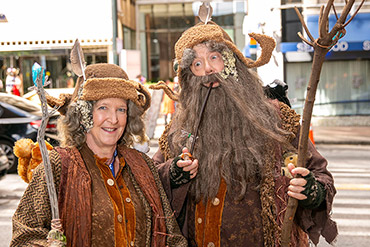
45,32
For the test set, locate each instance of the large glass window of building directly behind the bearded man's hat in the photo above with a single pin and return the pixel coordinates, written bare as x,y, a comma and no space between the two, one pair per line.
161,25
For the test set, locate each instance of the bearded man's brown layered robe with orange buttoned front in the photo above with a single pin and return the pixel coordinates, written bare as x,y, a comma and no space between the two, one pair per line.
256,219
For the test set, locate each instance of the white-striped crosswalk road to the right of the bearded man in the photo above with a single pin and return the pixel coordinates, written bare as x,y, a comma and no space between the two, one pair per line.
350,166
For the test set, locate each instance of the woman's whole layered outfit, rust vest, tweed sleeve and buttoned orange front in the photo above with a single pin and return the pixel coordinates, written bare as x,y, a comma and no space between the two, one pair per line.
97,209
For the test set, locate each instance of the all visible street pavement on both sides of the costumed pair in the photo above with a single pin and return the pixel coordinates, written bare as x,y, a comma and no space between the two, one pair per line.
349,164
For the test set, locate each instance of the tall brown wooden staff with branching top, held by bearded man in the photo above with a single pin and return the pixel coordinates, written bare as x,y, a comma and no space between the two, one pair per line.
321,47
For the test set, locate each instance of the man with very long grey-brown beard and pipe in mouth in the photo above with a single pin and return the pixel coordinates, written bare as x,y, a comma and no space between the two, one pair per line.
232,192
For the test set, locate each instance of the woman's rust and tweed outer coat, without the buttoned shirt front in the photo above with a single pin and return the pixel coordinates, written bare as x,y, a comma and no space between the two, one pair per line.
31,222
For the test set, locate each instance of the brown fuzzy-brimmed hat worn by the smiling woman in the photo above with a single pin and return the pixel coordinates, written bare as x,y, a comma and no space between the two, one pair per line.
104,81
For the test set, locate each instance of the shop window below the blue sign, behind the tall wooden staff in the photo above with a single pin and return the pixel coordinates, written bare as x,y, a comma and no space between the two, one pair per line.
344,87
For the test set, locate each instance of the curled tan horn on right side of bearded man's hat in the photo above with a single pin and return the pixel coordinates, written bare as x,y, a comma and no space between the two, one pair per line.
267,46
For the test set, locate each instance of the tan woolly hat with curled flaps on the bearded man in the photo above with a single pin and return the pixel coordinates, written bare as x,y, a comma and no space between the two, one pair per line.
210,31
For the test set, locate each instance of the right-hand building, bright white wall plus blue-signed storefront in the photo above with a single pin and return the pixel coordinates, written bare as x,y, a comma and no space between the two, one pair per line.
344,87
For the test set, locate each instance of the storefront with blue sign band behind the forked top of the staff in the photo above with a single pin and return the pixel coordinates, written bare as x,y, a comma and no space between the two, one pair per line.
344,88
